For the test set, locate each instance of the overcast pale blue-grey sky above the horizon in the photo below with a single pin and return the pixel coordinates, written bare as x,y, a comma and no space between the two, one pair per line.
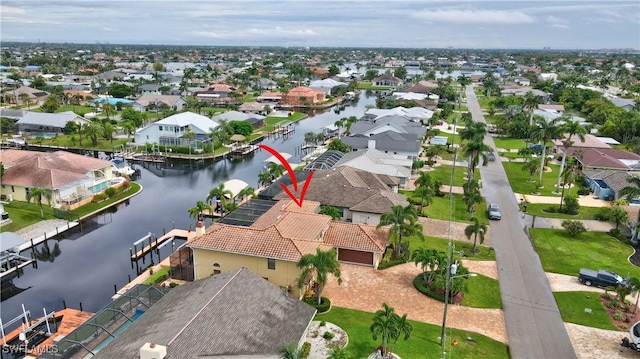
325,23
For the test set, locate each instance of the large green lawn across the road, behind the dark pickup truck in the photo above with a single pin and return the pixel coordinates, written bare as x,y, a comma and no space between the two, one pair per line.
560,253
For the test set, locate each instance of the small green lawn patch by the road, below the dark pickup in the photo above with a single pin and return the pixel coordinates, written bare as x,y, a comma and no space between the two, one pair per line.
572,307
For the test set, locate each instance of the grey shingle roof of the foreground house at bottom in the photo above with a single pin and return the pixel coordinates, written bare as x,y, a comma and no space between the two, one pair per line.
235,314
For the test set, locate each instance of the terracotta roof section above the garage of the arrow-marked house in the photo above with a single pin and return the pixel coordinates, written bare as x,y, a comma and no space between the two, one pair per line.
357,236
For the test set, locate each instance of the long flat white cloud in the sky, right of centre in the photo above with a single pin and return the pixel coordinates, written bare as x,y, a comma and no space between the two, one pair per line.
474,16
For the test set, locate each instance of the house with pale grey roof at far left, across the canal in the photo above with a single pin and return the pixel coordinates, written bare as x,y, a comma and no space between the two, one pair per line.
41,123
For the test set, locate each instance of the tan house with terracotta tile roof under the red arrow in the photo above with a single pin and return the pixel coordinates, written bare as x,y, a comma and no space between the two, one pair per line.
278,238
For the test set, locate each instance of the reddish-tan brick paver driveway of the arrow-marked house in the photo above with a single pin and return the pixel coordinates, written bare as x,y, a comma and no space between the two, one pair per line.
365,289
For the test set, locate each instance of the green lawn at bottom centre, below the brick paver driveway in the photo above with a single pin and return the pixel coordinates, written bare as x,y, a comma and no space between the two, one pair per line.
423,342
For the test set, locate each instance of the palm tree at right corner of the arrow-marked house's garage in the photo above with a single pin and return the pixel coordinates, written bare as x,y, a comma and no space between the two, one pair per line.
403,223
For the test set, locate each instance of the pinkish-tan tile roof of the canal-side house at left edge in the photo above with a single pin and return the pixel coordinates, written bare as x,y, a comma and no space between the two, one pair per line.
47,170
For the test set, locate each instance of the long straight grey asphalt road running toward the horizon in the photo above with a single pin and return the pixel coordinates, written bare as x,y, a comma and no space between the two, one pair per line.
534,325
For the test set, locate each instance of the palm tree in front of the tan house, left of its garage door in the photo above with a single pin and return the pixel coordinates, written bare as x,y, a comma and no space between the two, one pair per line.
319,266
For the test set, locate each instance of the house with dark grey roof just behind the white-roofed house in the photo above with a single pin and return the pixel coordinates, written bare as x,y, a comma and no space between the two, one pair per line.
400,145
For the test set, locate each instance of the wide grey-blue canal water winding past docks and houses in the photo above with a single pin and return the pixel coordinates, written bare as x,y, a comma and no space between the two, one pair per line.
84,266
